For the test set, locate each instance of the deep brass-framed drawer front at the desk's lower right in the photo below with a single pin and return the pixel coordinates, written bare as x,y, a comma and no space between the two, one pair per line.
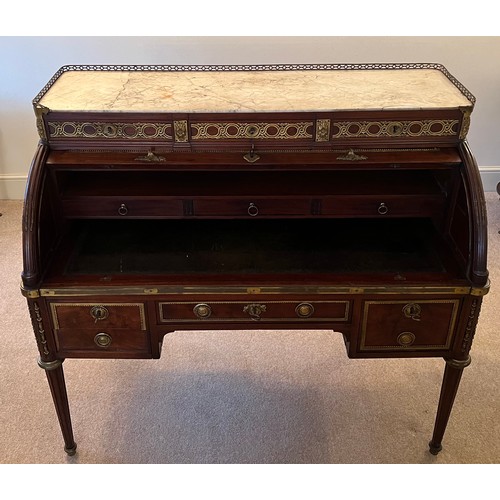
408,325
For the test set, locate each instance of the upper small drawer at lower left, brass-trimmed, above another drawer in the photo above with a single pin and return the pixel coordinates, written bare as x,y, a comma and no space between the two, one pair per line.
94,316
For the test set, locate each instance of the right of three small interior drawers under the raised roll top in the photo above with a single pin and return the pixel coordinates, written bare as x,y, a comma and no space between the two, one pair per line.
383,206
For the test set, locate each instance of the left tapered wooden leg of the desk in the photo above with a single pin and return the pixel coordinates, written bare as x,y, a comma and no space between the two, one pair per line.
55,376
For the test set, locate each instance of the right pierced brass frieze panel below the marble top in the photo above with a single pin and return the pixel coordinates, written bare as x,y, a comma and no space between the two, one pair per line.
413,128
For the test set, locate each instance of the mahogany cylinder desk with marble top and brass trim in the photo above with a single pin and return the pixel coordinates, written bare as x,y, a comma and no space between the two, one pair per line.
166,198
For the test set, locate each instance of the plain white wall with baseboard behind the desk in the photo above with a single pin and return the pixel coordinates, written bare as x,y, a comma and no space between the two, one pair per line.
27,63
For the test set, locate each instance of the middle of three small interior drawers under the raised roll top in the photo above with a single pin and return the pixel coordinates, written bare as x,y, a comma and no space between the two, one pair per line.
251,207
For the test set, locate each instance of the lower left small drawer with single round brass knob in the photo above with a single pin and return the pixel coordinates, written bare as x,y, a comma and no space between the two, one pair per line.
103,342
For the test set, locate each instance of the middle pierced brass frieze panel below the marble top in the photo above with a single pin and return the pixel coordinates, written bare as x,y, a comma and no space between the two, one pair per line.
234,130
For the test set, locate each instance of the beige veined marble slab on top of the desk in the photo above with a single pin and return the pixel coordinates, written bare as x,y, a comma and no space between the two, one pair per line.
252,91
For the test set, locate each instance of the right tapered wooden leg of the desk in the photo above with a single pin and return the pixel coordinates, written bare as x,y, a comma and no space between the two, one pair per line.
451,380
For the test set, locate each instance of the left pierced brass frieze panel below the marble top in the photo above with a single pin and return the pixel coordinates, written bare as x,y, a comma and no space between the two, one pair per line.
109,130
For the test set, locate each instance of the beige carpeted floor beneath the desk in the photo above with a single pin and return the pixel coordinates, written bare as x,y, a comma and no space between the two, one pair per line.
244,396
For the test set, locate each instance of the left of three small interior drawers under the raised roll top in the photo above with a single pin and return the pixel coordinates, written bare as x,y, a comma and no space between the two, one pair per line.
122,207
